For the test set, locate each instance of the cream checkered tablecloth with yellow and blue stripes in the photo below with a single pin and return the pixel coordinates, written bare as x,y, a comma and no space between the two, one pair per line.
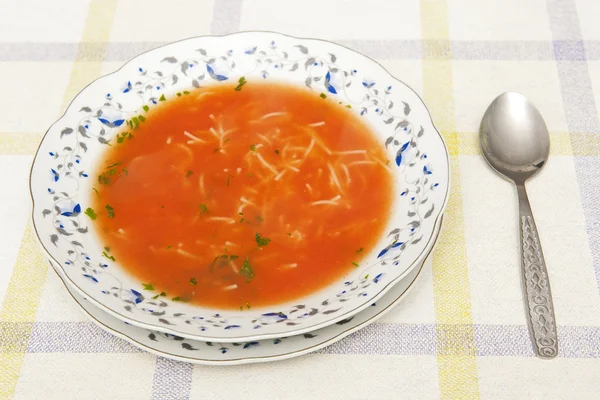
461,333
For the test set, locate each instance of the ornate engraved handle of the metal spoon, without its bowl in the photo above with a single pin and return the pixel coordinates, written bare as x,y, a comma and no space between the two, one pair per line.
540,309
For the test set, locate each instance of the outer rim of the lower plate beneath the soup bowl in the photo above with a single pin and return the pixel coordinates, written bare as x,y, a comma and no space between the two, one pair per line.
251,360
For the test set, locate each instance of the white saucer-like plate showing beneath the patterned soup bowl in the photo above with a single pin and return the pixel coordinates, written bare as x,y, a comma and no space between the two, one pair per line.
257,351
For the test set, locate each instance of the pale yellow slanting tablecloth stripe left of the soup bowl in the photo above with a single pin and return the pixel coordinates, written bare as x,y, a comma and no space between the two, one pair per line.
29,272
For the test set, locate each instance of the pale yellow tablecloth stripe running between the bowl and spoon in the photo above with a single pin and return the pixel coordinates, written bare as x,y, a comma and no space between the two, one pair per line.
457,363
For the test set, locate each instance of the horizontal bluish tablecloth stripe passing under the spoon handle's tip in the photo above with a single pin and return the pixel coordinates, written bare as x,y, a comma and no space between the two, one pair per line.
378,338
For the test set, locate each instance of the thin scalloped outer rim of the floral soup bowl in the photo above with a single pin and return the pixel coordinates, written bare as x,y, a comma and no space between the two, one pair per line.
207,337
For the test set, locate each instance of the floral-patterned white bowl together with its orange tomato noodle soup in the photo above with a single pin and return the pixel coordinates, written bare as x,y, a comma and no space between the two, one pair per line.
247,186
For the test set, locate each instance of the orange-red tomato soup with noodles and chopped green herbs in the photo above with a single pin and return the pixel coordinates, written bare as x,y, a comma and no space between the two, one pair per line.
242,196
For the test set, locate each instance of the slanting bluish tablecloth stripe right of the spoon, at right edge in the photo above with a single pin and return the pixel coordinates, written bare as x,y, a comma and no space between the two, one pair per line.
580,111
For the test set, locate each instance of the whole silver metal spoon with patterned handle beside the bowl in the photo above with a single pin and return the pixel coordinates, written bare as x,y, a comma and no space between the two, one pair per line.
515,142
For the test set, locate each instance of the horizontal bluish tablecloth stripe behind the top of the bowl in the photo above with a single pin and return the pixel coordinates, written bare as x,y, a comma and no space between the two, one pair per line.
564,50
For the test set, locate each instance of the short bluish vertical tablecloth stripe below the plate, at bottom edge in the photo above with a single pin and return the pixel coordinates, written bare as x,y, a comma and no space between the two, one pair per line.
172,380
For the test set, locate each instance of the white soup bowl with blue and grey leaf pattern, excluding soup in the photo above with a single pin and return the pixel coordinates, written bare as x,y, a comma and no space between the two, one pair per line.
63,177
